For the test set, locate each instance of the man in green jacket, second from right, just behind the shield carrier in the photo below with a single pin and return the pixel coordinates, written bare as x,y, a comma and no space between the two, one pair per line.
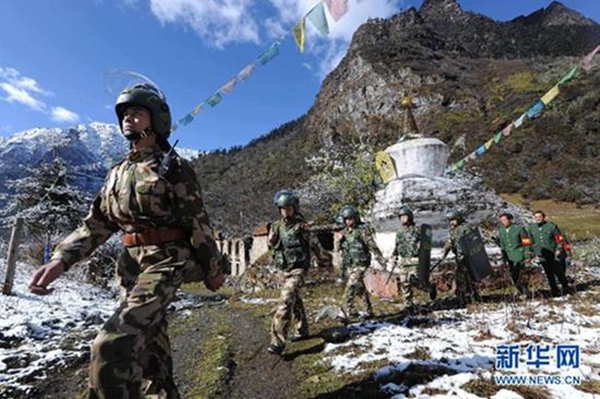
516,248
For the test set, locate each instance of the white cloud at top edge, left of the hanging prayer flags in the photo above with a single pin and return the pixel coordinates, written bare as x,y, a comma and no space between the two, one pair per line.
218,22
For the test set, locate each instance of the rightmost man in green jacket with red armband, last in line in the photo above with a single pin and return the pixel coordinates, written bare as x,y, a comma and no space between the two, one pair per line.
549,246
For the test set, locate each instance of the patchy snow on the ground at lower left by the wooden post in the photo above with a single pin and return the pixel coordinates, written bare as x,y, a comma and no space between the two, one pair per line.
40,333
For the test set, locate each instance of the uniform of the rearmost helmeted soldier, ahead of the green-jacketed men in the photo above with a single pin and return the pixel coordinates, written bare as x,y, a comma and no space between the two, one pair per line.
465,286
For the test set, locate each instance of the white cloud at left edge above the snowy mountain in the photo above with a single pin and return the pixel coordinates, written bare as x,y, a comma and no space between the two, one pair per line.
26,91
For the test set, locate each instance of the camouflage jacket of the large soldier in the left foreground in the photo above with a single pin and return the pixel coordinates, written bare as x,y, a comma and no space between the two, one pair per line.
135,197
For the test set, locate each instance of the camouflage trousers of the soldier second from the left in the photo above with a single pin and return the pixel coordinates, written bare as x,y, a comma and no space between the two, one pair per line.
290,306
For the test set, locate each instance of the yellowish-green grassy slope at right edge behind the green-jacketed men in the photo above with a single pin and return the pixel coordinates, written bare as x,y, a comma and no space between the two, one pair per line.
580,222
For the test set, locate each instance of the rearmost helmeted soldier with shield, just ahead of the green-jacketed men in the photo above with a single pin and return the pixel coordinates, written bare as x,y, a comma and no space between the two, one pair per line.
466,290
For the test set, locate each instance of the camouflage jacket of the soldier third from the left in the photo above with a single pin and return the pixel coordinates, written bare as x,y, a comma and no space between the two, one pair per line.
357,245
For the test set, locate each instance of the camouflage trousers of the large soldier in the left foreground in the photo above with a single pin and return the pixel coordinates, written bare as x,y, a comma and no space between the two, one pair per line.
133,344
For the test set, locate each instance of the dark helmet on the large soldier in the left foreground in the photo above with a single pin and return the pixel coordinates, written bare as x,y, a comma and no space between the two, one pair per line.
150,97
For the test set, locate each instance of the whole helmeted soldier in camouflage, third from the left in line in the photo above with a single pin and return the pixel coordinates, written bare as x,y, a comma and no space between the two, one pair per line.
357,243
